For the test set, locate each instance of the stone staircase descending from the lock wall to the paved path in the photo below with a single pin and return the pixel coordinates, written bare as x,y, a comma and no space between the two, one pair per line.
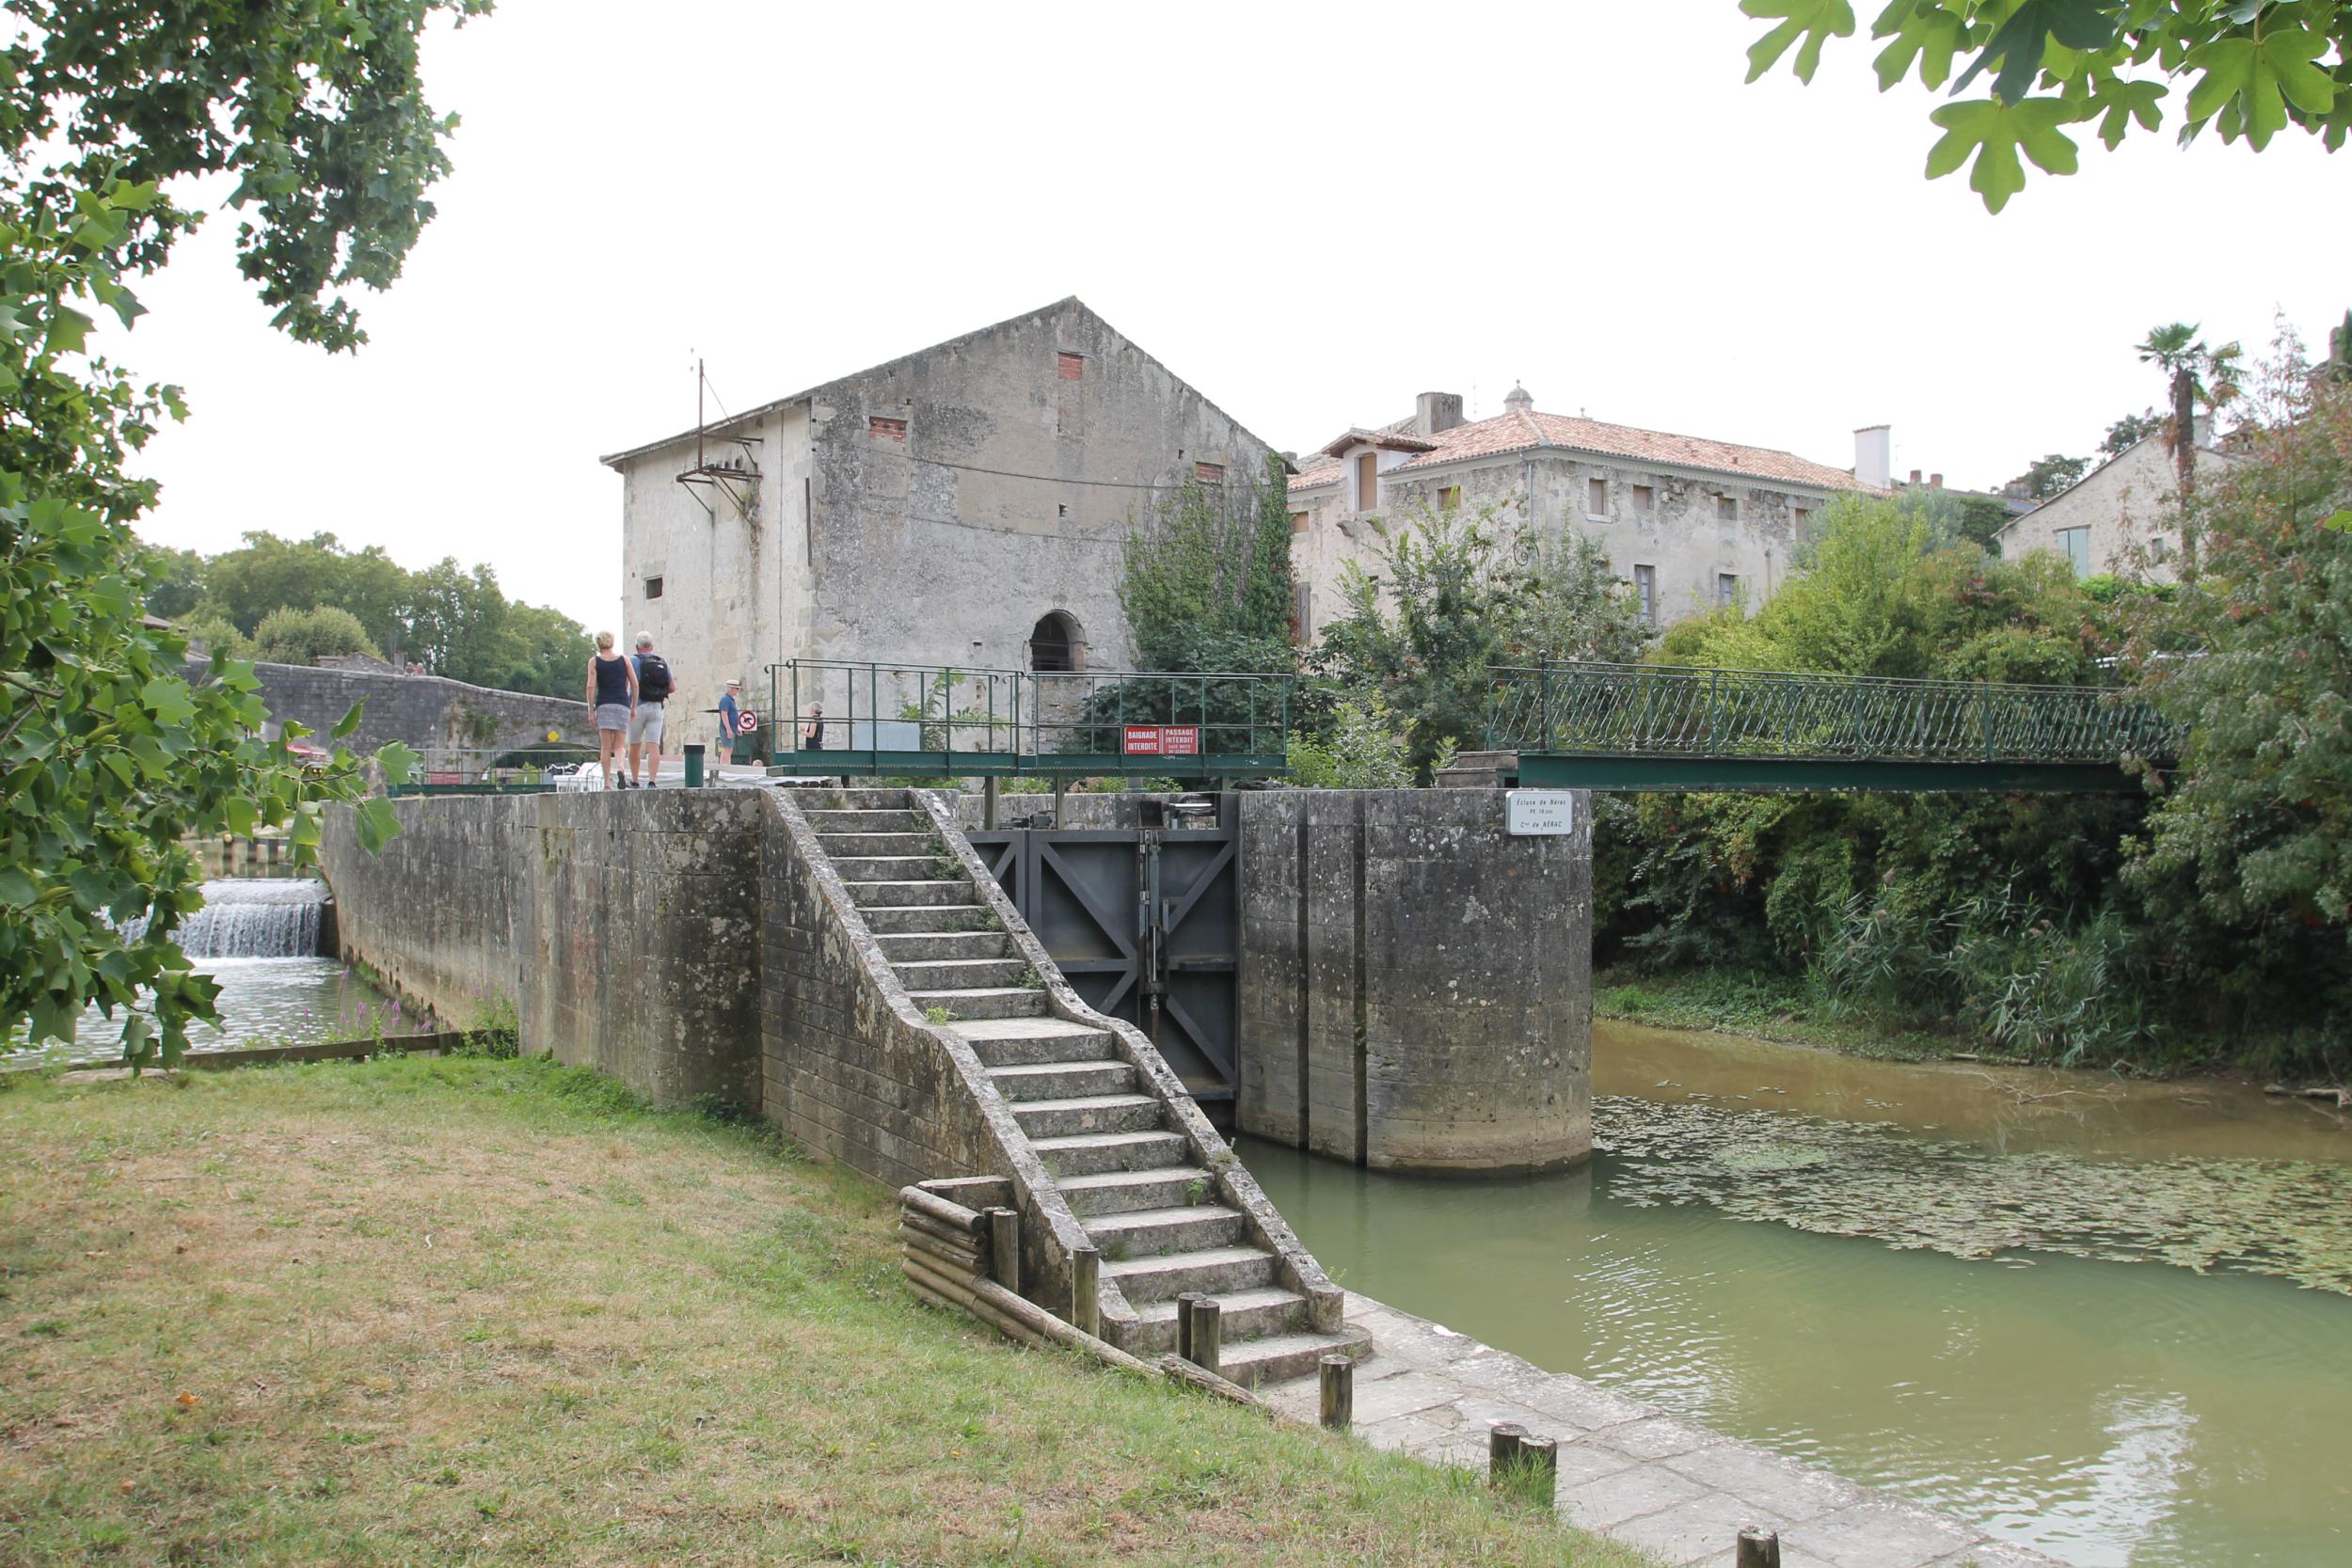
1111,1146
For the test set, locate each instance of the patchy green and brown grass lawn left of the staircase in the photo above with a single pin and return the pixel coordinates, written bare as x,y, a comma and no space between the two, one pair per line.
500,1313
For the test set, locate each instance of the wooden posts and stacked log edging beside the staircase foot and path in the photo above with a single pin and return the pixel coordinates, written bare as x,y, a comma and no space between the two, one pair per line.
961,1247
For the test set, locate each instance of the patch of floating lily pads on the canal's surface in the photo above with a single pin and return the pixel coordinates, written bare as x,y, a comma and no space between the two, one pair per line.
1845,1179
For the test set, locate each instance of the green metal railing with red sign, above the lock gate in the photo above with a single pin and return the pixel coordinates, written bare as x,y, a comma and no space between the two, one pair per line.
958,723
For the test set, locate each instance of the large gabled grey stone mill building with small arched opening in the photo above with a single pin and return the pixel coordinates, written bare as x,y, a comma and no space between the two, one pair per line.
958,507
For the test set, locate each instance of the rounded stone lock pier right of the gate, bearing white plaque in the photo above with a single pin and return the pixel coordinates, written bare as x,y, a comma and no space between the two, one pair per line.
1417,984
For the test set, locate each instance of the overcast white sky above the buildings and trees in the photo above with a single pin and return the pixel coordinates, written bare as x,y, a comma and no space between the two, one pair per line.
1307,210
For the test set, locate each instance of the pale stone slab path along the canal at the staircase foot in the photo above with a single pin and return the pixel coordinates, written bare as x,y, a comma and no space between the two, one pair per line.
1629,1470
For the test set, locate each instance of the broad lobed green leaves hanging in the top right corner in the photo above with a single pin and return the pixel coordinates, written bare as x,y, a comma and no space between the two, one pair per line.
2250,69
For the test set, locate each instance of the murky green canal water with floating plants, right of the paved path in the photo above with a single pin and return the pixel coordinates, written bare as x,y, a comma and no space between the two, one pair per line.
2102,1320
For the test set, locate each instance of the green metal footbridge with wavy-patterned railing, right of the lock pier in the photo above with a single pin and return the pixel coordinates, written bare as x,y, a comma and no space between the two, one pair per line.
1659,728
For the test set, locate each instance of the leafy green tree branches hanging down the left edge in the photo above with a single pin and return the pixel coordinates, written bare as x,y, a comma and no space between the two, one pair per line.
109,753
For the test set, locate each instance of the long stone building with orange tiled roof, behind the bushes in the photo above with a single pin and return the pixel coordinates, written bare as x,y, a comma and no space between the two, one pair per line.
1690,523
